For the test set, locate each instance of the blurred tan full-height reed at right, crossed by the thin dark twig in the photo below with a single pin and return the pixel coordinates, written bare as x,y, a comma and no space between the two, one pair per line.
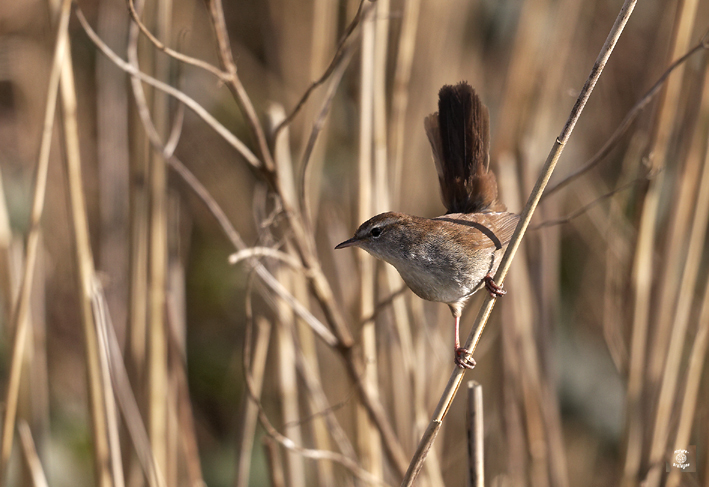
643,263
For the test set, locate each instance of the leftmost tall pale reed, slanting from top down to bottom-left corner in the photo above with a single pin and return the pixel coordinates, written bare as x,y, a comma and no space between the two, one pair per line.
20,313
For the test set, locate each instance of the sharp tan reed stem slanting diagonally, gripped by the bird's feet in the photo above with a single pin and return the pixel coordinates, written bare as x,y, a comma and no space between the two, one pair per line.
525,218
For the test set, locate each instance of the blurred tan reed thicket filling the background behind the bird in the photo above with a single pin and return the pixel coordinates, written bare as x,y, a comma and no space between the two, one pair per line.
132,350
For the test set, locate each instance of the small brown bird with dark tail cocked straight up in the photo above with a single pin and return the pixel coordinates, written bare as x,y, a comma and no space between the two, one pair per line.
447,259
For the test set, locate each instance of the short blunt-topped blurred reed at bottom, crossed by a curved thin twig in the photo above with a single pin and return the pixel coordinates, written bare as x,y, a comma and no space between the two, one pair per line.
249,415
